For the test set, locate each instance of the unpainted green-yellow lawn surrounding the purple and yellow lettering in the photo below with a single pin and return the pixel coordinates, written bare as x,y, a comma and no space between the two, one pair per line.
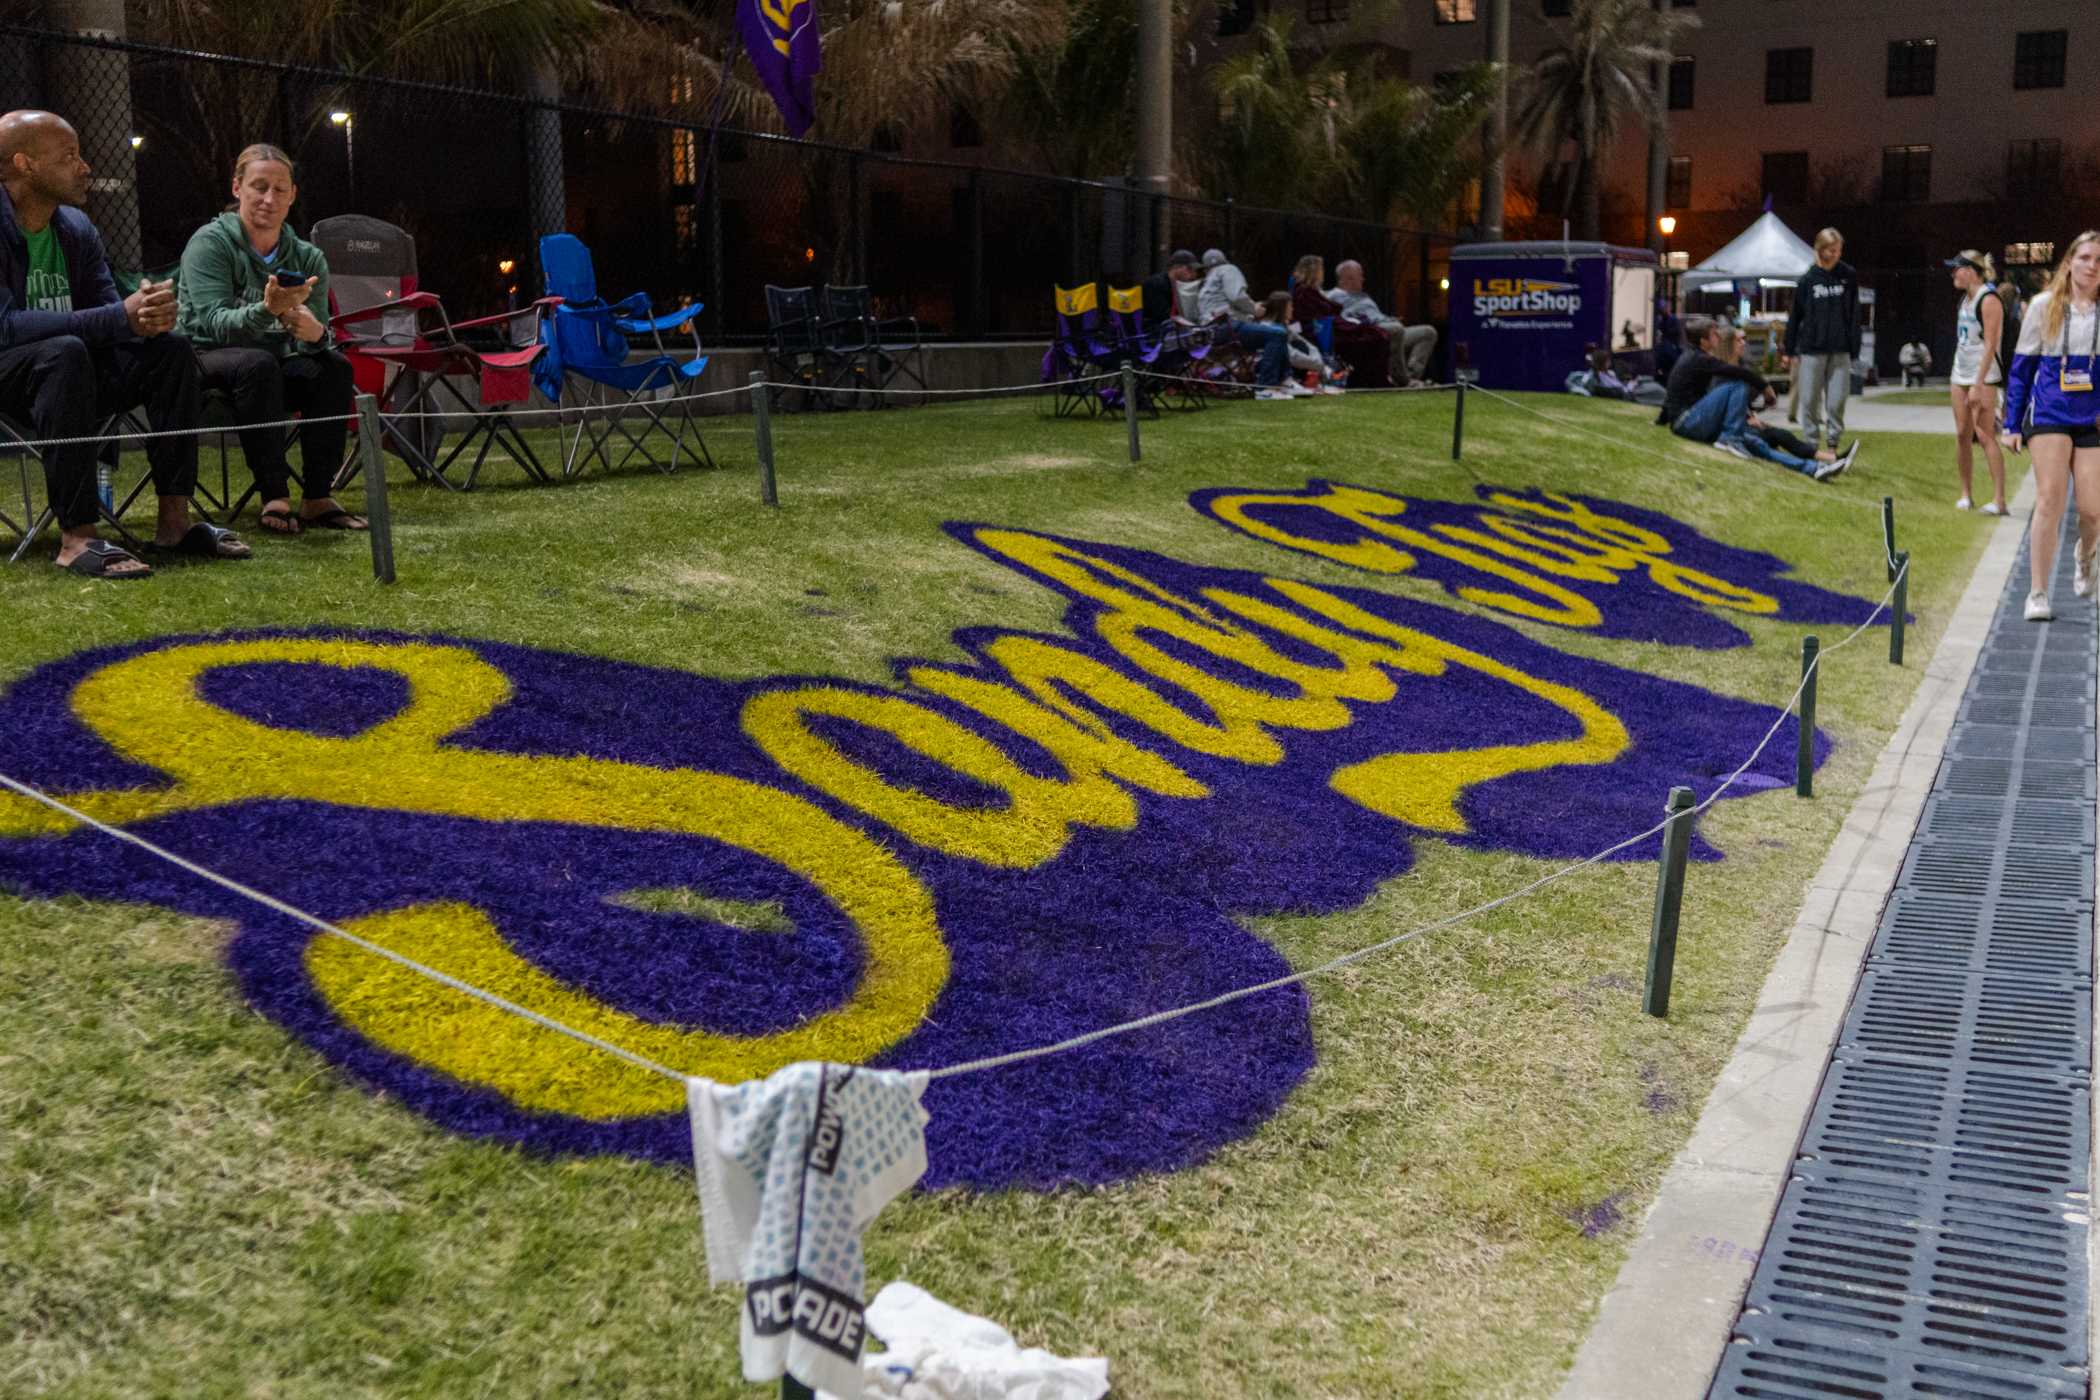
192,1202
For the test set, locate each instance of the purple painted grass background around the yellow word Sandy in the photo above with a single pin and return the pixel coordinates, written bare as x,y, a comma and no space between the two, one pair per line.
1118,927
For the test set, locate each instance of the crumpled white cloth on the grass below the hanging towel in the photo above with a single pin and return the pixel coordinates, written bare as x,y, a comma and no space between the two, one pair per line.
942,1353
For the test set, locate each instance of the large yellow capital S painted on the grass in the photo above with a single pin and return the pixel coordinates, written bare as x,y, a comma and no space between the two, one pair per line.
152,710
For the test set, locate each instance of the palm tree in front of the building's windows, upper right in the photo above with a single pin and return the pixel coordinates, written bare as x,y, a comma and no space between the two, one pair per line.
1587,87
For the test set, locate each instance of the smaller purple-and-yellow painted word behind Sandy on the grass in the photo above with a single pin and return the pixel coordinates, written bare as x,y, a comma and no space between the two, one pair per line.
1574,561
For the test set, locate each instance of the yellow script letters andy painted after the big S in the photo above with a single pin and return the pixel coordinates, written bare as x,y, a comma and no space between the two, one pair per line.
1234,721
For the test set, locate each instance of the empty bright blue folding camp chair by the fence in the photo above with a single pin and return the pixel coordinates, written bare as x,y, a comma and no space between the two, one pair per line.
589,343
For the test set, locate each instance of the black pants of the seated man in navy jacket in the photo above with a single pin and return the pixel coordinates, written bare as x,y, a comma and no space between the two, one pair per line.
64,389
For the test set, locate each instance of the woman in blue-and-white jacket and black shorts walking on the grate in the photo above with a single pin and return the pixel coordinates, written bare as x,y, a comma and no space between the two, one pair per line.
2051,404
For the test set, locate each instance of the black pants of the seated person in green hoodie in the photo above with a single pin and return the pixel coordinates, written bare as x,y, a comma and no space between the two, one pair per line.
268,389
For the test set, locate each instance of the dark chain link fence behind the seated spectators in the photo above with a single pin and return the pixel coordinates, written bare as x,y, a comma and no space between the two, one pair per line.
476,177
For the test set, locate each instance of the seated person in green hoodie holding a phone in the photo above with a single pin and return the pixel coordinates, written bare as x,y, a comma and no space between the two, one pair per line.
253,297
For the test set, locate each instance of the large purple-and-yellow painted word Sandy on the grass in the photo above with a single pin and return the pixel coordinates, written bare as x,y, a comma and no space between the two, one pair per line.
1055,834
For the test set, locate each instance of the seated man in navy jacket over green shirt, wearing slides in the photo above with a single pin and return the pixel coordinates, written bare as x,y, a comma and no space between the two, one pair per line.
72,352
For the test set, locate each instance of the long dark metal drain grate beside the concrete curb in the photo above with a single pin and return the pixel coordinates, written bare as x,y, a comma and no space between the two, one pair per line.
1933,1235
